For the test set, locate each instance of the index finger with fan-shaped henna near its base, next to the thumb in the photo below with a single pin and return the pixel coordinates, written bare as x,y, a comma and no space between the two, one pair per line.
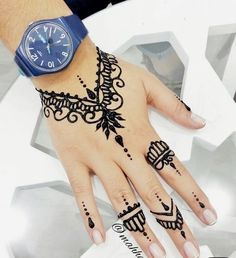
165,162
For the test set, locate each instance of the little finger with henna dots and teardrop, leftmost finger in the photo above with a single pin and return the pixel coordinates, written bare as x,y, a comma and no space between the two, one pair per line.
80,181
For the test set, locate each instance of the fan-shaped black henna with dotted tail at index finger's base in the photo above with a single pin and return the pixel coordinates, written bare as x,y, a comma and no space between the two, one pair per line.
159,155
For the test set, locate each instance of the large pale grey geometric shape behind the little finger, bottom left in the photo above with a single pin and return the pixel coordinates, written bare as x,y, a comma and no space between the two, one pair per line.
53,226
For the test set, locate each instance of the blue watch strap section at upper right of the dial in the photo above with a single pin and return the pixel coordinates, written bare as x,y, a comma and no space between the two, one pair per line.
79,30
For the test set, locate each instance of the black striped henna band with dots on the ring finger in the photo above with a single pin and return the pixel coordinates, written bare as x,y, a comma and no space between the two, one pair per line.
136,221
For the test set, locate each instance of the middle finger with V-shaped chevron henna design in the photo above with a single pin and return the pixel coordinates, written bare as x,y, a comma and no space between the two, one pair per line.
161,206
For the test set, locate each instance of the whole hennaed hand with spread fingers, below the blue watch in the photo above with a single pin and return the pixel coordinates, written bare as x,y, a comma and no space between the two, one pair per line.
98,120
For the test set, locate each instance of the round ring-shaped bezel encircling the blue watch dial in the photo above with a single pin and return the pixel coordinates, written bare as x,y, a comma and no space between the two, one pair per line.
26,52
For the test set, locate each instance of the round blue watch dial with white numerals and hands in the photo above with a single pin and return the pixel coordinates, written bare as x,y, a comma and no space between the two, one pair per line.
48,47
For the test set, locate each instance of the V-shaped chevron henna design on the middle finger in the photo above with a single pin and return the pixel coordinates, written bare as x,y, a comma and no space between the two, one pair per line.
170,218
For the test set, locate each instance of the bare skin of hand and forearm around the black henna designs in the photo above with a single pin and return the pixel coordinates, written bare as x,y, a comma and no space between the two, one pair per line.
84,152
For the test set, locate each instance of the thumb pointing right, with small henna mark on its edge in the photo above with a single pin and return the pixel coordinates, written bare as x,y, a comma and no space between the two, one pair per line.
163,99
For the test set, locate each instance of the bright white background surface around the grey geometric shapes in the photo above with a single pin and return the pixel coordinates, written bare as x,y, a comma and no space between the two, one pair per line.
189,21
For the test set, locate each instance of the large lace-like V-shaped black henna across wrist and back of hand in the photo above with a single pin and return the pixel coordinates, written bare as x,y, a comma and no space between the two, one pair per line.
99,106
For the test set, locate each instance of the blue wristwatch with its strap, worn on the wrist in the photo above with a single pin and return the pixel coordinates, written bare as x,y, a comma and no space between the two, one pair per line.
48,46
